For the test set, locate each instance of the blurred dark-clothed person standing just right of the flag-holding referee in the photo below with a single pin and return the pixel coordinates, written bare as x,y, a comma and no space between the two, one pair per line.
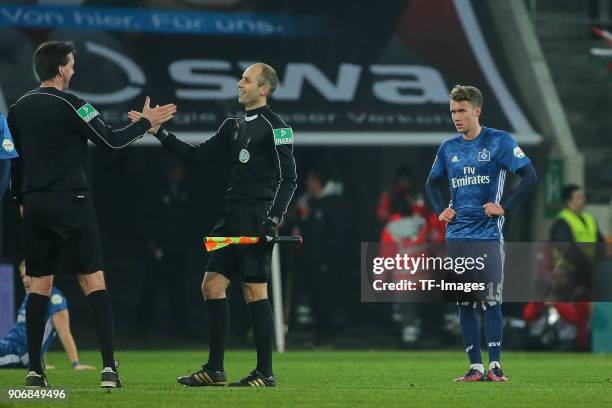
321,224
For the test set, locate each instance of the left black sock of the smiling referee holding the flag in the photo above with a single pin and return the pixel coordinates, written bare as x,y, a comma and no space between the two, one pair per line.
218,331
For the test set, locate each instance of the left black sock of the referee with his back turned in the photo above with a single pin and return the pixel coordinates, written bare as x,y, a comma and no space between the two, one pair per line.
36,314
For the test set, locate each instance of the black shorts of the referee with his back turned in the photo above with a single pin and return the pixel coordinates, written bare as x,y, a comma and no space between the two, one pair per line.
61,233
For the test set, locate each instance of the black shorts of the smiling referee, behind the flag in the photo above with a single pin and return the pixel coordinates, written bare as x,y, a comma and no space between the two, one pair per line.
249,263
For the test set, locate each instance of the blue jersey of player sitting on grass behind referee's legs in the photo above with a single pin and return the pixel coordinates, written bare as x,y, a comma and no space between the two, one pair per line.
17,338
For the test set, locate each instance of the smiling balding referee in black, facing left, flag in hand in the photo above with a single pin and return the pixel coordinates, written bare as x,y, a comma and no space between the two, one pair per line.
260,185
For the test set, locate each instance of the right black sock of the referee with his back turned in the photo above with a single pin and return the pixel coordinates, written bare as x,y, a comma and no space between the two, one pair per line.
102,316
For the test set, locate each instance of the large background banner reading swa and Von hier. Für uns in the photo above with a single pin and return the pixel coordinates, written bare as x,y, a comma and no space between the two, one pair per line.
362,74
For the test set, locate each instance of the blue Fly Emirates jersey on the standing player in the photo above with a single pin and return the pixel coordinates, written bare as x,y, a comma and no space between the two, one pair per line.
476,171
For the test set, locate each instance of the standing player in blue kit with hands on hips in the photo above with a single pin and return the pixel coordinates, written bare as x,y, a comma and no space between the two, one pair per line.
476,163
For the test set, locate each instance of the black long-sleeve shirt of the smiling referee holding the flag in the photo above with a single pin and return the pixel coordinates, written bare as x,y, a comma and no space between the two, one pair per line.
269,173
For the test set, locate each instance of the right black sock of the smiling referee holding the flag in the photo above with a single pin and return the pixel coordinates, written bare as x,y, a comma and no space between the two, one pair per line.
263,330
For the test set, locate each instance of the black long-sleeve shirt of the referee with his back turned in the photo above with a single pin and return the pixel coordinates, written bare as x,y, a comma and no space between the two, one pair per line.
50,130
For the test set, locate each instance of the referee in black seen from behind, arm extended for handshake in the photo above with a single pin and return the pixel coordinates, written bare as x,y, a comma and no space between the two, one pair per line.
49,180
